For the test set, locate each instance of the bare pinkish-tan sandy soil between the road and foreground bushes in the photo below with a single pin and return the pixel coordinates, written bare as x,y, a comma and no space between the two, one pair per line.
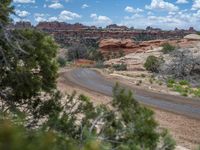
185,130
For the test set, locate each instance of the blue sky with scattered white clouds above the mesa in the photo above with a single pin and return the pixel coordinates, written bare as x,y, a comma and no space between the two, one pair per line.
165,14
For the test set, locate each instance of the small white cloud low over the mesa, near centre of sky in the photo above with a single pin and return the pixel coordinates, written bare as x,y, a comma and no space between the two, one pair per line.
100,20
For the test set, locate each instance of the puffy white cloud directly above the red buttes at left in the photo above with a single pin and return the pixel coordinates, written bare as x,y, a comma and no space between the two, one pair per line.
68,15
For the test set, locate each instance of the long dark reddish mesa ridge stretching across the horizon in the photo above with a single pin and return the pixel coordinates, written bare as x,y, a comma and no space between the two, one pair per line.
67,34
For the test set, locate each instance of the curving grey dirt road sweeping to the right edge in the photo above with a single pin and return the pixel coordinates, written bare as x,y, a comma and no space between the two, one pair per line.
91,80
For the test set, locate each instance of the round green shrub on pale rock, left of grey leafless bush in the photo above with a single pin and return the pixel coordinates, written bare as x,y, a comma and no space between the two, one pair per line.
152,64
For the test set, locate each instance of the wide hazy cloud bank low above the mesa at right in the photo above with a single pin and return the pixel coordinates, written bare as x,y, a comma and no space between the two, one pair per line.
182,19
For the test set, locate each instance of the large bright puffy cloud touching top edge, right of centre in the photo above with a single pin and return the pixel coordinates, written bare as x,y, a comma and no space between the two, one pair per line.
161,5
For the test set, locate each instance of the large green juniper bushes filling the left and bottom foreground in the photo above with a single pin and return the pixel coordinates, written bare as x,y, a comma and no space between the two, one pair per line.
35,115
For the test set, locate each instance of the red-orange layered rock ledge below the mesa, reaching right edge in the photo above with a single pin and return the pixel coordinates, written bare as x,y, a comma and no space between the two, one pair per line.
109,46
